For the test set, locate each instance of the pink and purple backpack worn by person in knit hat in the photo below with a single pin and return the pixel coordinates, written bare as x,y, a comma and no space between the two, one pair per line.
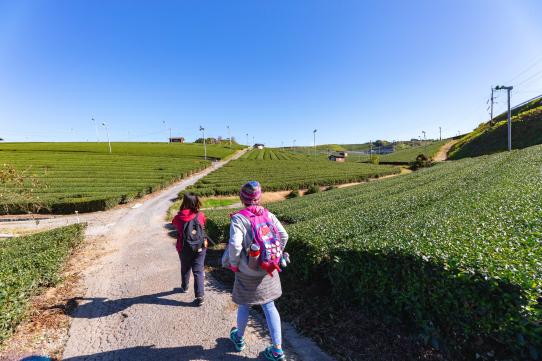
266,235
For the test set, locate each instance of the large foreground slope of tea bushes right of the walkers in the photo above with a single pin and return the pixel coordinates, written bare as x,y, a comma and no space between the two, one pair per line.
452,252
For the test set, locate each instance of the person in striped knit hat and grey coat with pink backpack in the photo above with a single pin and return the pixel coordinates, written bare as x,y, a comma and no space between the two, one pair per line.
254,253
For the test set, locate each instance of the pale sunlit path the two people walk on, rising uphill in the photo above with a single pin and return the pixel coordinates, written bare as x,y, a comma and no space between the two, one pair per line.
133,310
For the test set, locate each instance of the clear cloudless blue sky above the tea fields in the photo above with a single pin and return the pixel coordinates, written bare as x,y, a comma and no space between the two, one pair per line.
355,70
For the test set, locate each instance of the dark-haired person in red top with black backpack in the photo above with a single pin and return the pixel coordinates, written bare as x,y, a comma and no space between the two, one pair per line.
191,244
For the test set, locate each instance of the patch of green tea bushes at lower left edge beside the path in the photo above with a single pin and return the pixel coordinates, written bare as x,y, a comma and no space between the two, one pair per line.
27,264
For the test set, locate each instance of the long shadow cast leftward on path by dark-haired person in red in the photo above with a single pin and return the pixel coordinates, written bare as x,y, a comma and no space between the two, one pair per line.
102,307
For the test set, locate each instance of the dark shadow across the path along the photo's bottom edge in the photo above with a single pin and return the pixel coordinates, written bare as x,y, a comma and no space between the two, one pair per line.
223,351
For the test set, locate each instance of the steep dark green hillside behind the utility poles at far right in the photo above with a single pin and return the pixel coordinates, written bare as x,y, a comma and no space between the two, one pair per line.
491,138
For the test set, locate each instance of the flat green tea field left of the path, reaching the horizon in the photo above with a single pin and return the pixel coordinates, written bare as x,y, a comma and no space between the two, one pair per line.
85,177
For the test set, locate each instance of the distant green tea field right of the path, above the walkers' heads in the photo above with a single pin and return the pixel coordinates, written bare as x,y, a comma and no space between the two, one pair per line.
282,170
